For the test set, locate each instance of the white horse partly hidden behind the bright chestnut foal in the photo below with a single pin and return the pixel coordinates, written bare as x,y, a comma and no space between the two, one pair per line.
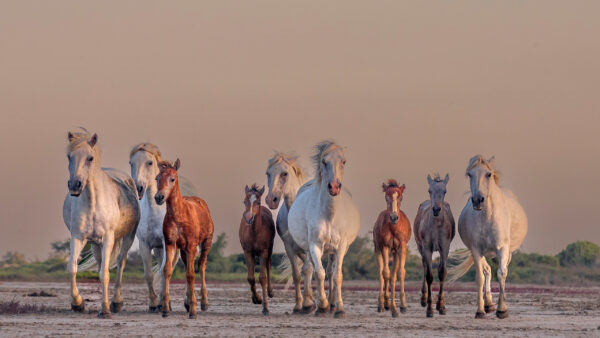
144,159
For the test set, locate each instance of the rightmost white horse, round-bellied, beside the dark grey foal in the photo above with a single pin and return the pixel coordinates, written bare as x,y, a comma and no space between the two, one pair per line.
493,223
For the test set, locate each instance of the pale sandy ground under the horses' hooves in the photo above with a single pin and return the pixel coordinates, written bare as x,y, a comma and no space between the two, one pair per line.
534,311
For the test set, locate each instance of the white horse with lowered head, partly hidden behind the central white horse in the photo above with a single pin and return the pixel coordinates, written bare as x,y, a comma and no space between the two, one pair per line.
285,177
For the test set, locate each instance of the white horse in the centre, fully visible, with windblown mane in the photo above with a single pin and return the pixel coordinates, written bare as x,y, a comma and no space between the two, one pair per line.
324,219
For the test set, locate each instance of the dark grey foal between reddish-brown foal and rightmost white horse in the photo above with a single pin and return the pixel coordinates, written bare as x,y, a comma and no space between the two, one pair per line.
434,230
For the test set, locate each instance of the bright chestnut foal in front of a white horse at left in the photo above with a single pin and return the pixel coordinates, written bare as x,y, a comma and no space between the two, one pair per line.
187,224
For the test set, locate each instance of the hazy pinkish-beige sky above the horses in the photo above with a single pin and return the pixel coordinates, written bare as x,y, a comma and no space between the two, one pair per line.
409,87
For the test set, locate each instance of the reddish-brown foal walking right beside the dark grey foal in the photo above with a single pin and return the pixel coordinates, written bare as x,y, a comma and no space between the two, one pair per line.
390,235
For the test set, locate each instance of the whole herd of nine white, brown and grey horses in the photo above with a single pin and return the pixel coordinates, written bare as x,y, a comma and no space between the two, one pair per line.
317,219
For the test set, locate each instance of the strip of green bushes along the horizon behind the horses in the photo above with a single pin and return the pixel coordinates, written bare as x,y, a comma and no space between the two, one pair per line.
578,263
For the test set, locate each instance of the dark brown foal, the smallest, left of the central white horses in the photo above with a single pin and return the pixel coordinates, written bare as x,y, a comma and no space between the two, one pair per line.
257,232
